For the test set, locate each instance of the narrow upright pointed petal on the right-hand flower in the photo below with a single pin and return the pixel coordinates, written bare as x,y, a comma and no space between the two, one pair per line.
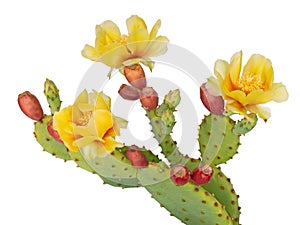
235,68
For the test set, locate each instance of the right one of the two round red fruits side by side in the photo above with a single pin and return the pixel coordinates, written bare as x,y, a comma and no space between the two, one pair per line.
202,175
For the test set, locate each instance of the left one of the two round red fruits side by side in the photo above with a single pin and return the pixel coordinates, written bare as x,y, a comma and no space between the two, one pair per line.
180,175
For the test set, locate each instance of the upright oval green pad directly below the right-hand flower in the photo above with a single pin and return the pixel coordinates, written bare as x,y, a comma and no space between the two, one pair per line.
217,142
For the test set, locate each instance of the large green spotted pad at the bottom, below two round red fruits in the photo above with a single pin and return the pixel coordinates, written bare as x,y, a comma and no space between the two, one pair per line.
189,203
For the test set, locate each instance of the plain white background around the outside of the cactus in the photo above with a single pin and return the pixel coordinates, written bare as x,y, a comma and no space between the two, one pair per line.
40,39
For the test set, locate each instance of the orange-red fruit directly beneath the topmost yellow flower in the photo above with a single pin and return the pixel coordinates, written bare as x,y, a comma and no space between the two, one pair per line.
135,75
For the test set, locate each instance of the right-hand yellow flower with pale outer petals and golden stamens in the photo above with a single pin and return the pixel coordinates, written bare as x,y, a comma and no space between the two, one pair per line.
244,93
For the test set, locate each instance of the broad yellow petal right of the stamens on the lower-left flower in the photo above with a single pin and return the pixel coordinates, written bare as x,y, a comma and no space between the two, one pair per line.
103,120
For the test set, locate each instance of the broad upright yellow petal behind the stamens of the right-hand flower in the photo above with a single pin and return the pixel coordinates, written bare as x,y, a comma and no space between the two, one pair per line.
262,67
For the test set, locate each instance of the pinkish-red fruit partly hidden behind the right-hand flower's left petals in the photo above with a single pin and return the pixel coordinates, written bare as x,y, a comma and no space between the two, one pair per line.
214,104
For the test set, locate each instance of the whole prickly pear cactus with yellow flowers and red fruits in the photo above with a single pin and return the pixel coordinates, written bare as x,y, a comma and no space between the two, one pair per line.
194,190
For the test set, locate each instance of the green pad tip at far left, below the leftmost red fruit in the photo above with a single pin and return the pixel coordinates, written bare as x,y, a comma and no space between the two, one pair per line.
47,142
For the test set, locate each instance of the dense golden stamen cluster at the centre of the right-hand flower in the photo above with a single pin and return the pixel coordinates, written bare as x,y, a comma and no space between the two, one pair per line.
250,82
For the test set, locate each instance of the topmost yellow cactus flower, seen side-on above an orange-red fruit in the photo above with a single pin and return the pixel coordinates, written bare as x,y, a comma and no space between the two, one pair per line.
116,50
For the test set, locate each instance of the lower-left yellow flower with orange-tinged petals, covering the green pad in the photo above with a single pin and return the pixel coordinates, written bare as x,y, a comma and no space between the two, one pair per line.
89,122
